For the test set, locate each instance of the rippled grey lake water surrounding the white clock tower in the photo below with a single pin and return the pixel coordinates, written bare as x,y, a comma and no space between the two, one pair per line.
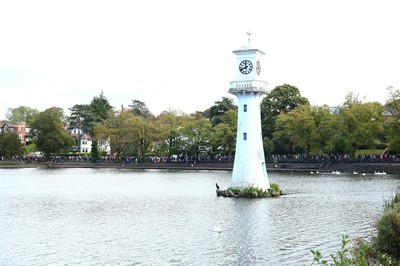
165,217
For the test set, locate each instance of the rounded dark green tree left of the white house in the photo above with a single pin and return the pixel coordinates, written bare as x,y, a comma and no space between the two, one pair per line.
49,134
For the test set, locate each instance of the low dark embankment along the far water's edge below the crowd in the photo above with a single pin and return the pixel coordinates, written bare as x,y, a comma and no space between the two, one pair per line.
389,168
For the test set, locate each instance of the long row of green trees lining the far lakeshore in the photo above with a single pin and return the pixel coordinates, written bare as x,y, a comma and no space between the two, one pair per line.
290,126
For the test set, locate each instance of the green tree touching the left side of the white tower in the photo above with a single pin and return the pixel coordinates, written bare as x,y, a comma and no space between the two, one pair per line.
223,137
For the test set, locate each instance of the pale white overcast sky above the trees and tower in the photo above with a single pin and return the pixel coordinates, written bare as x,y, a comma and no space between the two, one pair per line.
178,54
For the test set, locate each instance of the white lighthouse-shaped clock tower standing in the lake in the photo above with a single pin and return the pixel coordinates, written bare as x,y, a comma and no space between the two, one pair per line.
249,168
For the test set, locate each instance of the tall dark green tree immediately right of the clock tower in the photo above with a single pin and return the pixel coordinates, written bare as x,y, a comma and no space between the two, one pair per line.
280,100
